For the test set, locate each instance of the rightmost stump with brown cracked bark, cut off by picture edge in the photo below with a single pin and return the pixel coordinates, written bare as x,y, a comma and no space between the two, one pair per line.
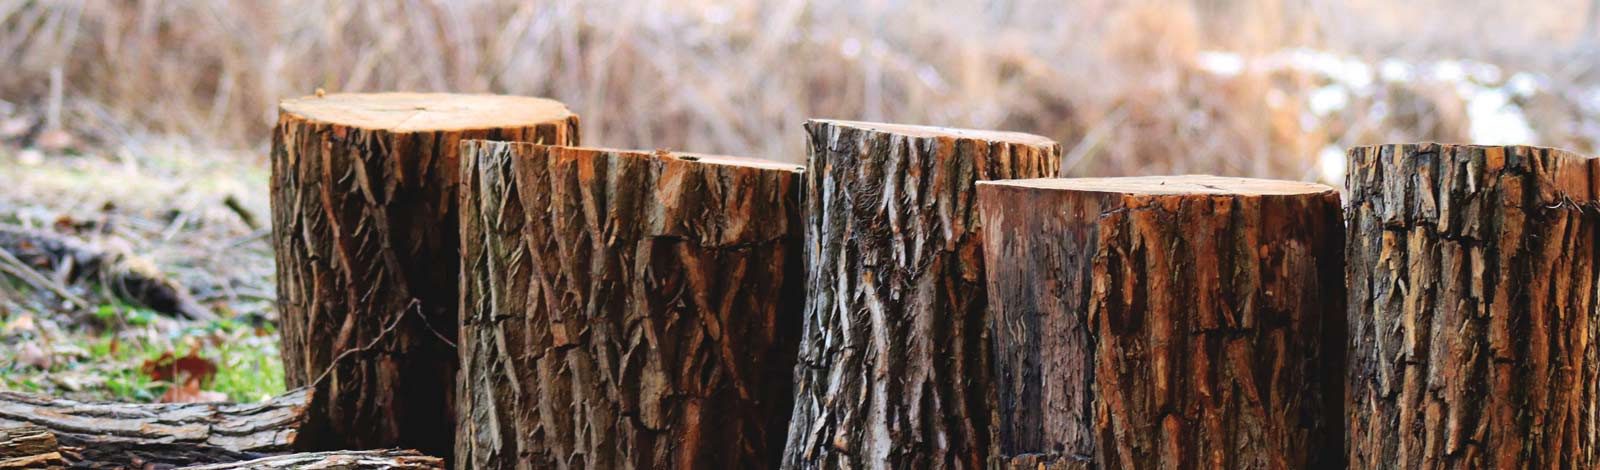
1473,308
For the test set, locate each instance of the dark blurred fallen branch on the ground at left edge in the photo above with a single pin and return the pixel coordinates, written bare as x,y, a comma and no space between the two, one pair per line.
129,277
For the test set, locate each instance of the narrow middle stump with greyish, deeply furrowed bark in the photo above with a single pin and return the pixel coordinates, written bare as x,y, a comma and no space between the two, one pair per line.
894,370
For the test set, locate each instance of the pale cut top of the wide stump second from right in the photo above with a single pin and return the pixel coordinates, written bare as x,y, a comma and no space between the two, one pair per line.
1188,185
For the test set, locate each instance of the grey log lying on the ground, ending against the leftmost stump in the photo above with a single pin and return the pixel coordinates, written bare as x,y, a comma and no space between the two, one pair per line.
161,434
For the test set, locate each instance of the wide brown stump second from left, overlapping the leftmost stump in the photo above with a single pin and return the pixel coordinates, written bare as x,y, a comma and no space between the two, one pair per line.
626,309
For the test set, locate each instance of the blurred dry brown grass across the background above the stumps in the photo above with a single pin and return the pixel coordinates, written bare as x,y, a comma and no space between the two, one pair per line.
1116,82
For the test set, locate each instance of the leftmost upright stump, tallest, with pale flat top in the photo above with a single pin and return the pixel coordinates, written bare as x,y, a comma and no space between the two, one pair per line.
364,217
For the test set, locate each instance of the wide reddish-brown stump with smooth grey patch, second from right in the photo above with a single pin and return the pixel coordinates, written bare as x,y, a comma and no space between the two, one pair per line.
1172,322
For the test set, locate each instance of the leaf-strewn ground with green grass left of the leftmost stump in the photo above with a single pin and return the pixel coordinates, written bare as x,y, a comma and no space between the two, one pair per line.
199,218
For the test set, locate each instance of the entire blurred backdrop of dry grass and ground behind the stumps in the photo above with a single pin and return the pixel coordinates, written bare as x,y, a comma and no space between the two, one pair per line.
143,125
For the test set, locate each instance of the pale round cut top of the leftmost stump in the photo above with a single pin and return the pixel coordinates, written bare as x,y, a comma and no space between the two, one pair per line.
407,113
